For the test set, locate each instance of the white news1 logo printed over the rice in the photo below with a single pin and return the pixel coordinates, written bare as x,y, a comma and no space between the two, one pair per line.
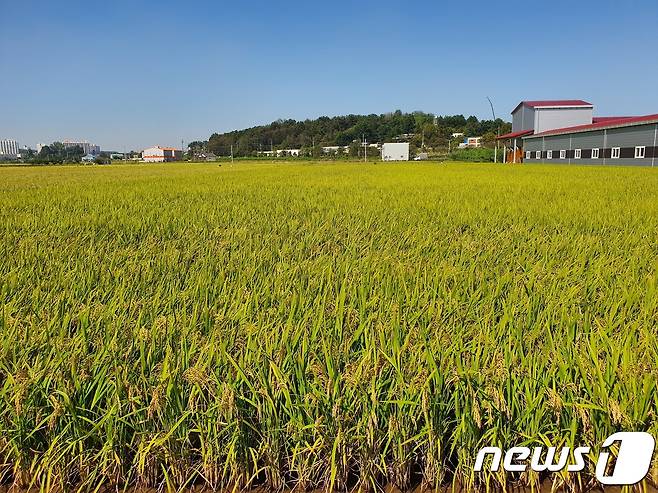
632,464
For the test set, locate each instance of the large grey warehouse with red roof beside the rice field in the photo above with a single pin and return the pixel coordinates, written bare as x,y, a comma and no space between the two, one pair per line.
567,132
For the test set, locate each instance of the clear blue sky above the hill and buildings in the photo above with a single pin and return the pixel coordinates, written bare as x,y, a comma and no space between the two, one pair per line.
129,74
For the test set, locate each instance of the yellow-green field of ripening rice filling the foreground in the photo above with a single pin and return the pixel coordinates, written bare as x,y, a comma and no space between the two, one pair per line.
320,326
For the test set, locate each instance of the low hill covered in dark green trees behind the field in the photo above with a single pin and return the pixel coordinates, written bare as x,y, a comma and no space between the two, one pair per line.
422,130
